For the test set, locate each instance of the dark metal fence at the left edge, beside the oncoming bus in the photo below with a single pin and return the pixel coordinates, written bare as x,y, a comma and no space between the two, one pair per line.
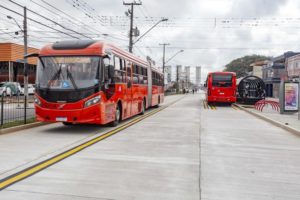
16,110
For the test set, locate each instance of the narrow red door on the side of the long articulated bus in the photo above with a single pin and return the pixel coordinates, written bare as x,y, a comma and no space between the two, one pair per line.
128,93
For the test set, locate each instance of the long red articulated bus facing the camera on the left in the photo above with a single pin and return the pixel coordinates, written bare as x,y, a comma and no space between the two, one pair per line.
92,82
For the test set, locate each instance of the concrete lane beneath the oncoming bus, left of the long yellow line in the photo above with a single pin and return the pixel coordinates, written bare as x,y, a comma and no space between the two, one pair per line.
22,149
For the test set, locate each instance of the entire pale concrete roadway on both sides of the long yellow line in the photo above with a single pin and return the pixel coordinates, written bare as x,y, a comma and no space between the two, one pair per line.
186,151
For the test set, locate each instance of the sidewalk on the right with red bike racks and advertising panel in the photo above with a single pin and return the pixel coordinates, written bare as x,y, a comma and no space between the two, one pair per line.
289,122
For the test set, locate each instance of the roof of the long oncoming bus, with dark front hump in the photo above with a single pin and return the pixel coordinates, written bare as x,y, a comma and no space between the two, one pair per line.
89,48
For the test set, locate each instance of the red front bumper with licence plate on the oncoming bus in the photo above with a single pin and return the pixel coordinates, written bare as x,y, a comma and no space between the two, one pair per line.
89,115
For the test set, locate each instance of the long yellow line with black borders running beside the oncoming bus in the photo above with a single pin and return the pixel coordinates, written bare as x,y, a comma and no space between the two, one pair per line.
47,163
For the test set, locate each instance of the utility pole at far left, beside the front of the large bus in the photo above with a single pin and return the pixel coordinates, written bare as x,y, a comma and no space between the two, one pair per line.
25,53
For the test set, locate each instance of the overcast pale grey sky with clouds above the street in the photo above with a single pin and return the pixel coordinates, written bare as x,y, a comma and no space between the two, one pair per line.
211,32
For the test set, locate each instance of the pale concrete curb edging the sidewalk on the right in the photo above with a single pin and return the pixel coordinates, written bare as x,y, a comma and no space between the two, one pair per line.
267,119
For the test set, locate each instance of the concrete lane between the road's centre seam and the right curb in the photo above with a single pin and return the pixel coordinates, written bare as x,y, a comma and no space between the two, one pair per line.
243,157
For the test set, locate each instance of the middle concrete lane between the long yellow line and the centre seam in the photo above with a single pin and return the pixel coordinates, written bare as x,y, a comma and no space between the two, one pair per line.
157,158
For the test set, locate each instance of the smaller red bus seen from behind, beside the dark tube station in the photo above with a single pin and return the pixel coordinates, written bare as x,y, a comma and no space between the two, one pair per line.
221,87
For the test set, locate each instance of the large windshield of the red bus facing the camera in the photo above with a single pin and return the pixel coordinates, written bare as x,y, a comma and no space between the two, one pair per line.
68,72
